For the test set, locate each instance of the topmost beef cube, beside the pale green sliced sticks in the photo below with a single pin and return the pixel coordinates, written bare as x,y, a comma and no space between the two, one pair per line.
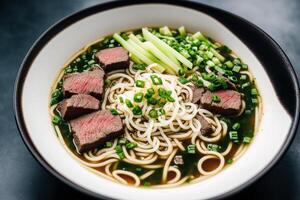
113,58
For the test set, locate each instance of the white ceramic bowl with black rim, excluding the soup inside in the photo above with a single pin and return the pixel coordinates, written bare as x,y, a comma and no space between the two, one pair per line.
54,48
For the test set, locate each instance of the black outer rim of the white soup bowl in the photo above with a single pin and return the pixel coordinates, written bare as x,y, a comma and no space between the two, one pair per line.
292,107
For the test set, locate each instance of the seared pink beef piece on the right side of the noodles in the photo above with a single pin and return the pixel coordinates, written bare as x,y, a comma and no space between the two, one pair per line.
230,102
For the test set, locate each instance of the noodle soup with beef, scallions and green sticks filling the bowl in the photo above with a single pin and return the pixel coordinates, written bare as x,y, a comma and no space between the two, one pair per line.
155,107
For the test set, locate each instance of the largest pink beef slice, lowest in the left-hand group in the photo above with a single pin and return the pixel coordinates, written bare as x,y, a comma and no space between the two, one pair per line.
94,129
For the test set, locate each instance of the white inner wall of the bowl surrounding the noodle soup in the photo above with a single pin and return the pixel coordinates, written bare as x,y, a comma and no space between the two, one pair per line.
275,121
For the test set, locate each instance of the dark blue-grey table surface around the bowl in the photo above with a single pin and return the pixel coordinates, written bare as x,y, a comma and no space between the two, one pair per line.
21,22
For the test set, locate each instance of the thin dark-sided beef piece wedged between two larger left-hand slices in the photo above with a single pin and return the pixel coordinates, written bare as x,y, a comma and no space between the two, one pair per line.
77,105
